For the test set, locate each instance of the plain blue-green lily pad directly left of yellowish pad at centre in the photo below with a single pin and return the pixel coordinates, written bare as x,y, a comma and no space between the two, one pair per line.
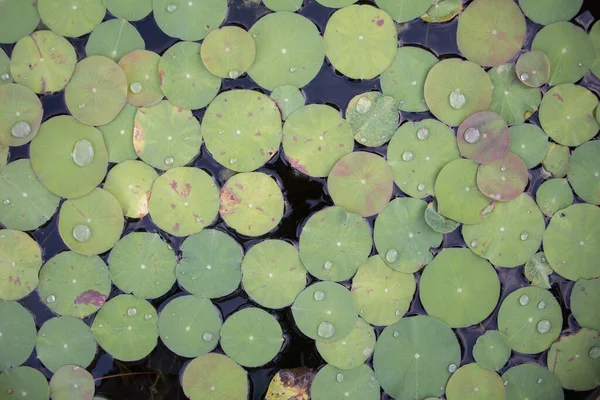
215,258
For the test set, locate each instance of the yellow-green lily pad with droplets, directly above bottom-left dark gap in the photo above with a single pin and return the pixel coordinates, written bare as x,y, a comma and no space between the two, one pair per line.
124,330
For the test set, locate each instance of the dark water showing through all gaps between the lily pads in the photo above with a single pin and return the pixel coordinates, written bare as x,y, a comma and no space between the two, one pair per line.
157,376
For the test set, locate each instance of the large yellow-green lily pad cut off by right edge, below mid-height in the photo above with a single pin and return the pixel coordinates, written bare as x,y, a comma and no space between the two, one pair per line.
571,242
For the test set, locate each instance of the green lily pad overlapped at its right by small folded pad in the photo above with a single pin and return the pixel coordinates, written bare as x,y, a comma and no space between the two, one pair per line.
402,237
